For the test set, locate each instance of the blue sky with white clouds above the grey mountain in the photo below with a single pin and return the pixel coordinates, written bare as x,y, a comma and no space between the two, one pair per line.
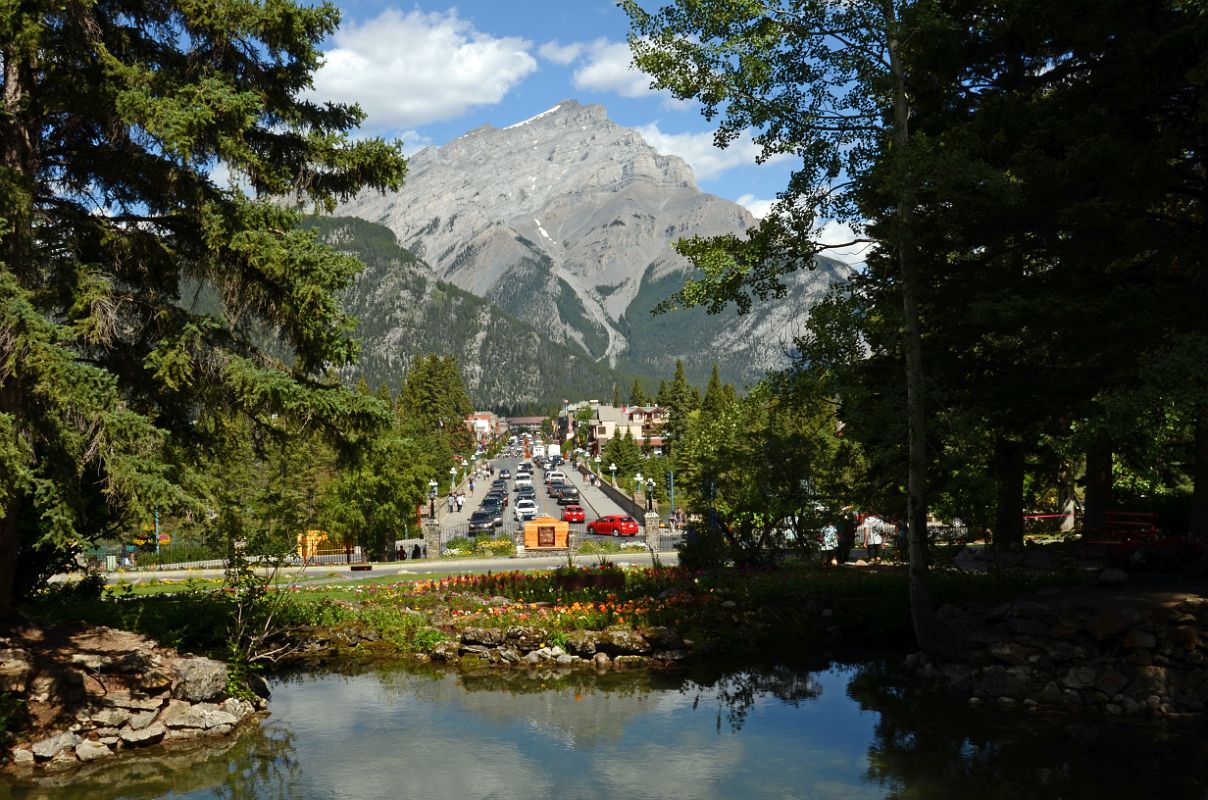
429,72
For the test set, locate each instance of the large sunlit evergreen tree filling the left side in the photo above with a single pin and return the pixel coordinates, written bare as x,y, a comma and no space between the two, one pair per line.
115,119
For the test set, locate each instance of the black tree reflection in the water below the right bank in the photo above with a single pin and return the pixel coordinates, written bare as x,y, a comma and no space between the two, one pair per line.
928,747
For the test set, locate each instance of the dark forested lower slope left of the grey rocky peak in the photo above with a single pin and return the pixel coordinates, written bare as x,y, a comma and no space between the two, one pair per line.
404,314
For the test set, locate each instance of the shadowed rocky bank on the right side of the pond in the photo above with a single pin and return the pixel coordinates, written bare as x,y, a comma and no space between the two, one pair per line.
1105,651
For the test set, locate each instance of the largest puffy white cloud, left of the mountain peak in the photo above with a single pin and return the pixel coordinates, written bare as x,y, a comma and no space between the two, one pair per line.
409,69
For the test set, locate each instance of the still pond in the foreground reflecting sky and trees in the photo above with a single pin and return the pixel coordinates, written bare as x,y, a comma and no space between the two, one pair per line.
841,732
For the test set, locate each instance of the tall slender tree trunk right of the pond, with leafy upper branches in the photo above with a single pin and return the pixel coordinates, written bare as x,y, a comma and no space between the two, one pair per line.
922,616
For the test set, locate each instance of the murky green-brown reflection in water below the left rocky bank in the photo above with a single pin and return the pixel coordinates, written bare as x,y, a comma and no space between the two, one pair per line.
254,766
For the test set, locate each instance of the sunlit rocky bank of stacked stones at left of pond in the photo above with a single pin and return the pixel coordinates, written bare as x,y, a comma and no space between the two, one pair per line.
94,693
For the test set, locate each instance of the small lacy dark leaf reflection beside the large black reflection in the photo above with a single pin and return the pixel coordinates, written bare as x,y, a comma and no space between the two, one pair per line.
737,692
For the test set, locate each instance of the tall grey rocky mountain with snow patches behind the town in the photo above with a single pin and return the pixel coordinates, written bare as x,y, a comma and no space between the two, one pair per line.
566,222
